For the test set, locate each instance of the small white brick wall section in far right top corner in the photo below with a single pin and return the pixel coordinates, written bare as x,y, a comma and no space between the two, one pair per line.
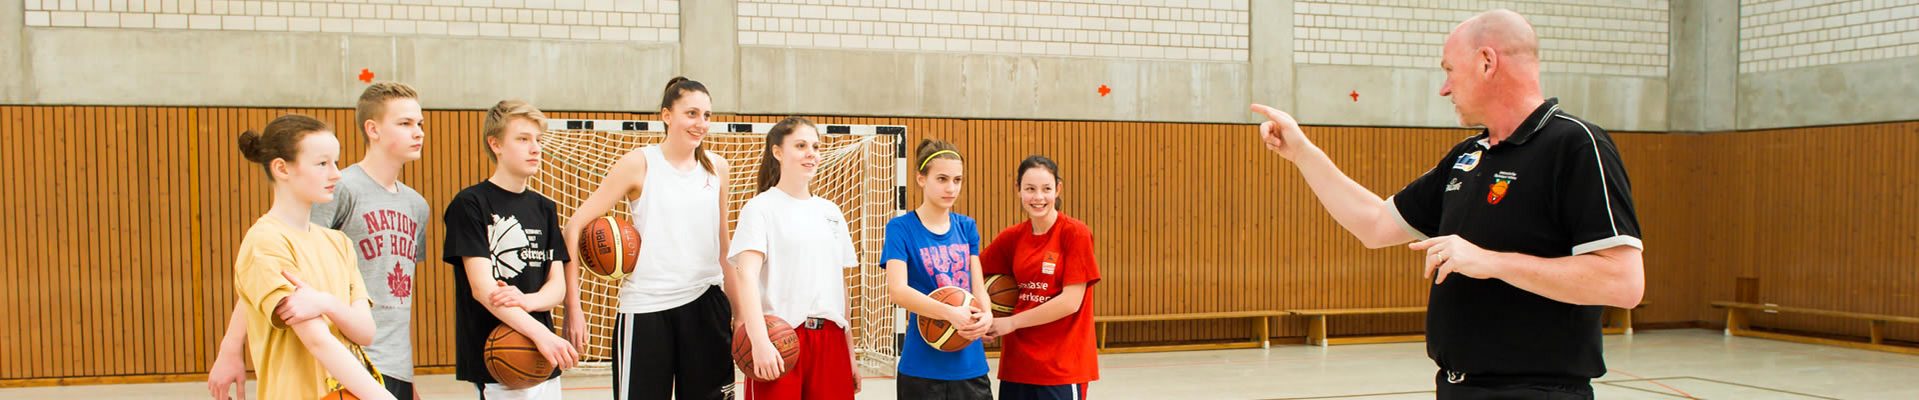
1799,34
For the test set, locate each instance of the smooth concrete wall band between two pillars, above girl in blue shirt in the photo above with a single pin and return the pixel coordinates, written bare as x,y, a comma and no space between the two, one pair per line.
989,86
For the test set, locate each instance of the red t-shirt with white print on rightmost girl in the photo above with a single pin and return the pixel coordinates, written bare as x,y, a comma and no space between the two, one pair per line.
1060,353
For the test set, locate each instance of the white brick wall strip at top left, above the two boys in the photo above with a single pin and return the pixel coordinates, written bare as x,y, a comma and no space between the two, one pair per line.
584,20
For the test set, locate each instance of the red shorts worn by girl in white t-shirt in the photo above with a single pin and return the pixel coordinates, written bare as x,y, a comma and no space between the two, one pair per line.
824,370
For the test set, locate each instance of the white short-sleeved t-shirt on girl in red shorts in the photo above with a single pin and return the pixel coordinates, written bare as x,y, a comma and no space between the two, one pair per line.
807,251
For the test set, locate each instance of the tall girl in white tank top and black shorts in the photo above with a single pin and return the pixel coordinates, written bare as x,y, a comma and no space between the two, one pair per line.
675,330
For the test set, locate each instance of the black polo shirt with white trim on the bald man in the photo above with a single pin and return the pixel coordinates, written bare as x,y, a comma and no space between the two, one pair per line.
1553,189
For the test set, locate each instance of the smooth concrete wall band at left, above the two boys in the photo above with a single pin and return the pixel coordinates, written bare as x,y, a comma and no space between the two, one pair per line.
308,70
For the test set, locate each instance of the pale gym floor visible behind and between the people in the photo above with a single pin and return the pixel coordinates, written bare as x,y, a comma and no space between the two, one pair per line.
1651,364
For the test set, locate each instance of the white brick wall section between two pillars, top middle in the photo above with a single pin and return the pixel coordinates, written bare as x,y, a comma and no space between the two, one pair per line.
1160,30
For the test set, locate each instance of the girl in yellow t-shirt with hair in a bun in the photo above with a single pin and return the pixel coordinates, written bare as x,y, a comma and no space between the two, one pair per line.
304,299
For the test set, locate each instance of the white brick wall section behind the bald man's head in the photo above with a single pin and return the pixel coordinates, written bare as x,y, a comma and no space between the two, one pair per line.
1615,37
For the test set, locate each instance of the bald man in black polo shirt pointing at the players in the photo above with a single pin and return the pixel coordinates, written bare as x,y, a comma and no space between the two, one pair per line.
1528,228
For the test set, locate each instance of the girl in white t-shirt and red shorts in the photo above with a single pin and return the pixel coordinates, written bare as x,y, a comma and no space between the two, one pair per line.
792,251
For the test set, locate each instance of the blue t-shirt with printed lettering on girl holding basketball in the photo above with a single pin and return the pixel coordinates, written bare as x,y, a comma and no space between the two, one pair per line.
934,262
